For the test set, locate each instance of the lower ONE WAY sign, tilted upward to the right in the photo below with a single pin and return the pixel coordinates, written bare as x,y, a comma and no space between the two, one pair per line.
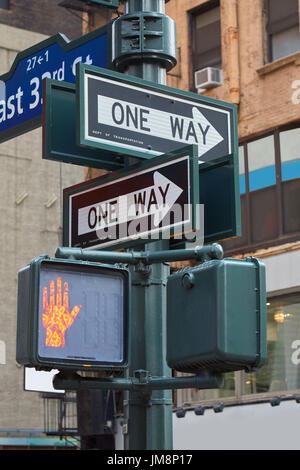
152,199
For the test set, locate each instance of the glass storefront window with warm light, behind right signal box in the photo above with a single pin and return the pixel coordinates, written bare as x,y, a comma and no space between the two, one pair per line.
280,373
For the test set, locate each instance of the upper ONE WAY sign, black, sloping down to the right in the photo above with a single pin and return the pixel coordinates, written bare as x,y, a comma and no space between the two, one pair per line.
127,115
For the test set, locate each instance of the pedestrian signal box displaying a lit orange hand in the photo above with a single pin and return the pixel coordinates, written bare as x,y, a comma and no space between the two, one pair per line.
72,315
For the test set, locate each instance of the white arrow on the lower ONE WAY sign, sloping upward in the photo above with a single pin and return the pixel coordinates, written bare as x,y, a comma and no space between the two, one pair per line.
154,200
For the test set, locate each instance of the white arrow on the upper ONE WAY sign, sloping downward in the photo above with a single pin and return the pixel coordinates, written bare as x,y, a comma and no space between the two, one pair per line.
145,120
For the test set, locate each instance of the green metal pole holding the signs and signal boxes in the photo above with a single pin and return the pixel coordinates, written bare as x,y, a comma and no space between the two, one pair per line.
149,415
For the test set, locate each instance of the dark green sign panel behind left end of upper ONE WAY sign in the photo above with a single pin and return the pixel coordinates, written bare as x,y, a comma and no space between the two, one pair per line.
59,130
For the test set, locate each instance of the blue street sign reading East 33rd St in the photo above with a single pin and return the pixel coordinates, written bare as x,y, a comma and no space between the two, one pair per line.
56,58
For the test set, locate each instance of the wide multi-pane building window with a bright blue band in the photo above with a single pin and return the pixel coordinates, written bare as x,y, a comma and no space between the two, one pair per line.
270,192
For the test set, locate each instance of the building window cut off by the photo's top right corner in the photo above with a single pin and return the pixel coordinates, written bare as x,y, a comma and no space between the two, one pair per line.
282,28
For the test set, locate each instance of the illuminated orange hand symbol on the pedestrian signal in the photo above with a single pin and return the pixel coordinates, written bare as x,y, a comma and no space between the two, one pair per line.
56,316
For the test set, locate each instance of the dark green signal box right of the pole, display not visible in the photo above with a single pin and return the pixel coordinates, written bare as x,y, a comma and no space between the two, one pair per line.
216,317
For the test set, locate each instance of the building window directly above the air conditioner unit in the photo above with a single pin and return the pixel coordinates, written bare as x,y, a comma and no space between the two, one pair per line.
206,38
